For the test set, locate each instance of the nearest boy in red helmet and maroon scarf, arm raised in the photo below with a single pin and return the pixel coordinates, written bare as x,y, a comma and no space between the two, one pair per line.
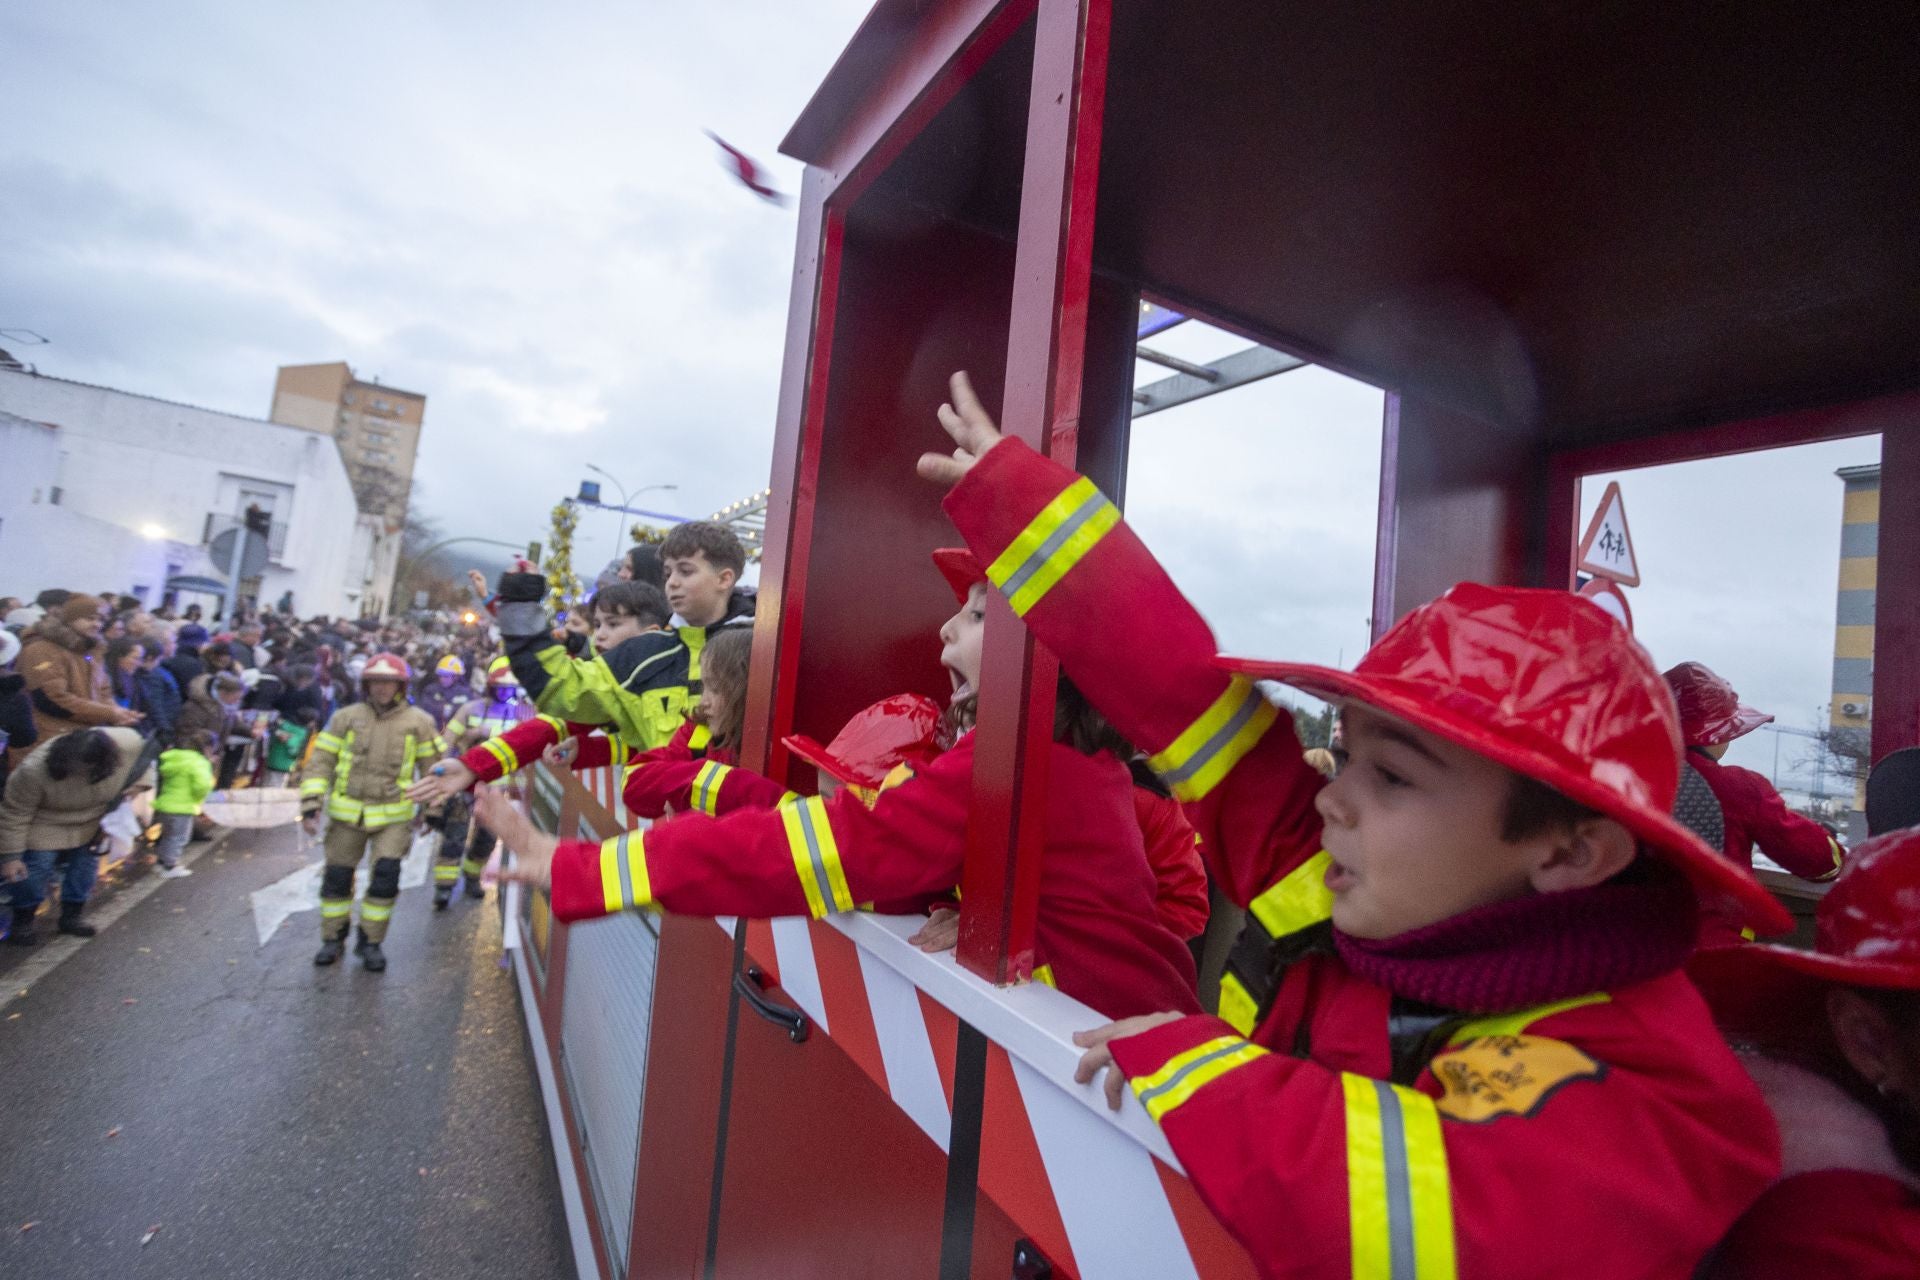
1468,1047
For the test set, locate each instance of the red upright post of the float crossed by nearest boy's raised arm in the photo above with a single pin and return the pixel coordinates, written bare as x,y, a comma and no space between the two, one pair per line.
1045,366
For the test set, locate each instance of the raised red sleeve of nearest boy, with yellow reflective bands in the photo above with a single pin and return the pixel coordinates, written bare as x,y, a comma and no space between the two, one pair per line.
1141,653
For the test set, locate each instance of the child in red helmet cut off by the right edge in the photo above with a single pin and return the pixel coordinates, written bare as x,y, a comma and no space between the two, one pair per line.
1833,1037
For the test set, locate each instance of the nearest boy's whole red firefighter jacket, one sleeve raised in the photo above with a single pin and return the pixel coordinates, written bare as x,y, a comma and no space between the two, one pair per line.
1333,1133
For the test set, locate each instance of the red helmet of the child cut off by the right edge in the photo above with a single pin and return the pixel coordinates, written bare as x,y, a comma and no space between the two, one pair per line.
1867,934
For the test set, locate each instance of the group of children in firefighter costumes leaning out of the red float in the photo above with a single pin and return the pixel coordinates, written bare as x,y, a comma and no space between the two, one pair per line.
1464,1039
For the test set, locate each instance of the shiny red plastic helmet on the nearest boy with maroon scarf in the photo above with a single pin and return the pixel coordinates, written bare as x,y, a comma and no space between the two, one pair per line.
1552,688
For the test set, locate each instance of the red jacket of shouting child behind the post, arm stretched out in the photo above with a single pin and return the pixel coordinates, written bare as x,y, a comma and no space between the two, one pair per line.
1097,926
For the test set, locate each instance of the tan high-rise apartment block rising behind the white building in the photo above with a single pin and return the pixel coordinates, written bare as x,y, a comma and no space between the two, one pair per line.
377,427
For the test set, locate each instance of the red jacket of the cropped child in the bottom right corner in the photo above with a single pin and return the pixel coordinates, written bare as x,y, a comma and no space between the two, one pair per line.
1840,1223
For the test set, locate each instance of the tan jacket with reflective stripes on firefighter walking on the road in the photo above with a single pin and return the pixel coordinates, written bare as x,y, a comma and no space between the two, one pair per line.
364,763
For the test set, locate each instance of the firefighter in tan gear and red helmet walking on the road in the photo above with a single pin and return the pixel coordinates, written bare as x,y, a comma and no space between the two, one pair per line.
360,770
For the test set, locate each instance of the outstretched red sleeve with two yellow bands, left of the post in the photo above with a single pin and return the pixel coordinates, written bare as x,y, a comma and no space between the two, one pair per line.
804,859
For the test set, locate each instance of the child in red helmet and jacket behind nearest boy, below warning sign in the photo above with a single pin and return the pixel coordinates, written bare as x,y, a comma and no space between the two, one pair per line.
1754,815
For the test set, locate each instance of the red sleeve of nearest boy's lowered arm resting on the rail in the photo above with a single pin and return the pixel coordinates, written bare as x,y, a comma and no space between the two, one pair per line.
1508,1156
